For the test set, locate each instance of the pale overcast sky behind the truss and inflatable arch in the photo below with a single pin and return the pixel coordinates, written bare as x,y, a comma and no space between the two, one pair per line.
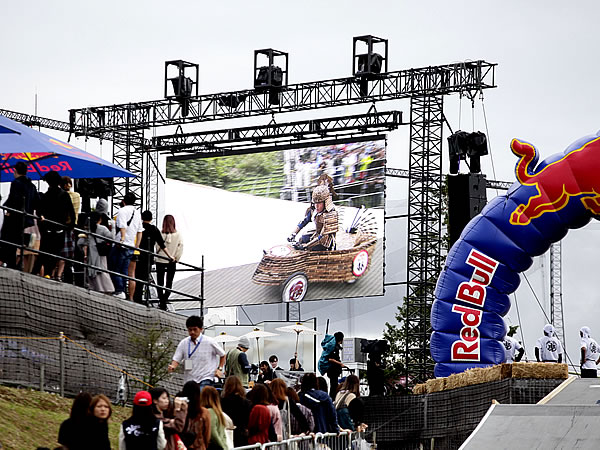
76,54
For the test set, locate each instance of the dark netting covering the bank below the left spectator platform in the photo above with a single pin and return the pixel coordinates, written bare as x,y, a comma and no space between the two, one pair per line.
98,330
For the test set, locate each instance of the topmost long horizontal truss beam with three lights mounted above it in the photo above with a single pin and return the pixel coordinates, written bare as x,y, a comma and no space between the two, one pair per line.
465,78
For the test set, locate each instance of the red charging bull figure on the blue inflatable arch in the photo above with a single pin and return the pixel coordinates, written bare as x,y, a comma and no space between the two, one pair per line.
574,175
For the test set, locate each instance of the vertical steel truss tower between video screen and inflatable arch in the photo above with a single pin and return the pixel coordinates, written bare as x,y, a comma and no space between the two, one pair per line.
424,231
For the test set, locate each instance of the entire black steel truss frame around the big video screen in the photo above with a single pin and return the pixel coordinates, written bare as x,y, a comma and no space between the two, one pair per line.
425,87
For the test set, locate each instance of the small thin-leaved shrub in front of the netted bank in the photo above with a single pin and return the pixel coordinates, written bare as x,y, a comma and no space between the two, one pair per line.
152,351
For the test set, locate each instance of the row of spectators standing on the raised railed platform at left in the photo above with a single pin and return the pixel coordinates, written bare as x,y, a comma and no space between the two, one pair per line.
67,238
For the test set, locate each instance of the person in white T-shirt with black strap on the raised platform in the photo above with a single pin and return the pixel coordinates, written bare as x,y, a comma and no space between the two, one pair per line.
129,232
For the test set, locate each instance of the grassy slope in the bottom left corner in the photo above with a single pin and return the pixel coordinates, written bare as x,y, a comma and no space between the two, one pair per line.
30,419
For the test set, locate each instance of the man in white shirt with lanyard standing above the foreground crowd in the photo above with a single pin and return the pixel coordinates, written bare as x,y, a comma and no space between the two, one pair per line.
203,359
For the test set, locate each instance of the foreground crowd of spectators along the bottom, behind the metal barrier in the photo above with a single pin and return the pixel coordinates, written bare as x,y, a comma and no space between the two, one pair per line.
208,419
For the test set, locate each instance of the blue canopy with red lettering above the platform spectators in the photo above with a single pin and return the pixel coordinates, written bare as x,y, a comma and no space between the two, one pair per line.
44,153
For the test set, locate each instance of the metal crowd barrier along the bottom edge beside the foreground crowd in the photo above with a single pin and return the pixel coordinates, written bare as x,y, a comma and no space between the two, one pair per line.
345,440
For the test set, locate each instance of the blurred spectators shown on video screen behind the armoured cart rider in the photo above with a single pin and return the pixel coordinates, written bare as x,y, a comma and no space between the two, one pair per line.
357,171
